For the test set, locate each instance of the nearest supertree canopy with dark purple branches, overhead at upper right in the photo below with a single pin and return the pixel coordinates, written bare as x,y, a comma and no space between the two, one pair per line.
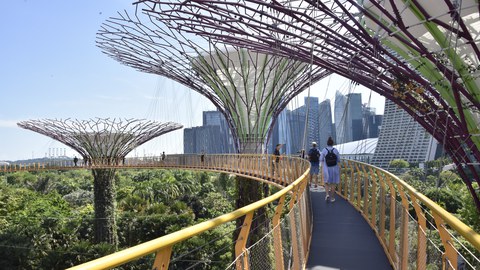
422,55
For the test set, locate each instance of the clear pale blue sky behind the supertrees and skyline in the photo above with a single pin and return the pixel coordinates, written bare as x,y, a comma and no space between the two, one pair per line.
51,68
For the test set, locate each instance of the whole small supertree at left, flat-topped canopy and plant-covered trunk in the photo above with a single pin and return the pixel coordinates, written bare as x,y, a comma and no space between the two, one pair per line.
104,143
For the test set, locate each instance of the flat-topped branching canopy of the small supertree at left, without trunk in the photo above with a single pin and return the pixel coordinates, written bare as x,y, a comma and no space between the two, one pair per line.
102,140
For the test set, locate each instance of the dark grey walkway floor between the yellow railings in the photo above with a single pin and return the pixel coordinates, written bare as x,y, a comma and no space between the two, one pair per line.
341,238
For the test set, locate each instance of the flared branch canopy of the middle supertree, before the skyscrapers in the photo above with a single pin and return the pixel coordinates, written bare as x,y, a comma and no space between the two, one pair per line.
249,87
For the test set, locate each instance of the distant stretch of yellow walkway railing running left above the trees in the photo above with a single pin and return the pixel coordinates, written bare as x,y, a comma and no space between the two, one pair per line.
259,166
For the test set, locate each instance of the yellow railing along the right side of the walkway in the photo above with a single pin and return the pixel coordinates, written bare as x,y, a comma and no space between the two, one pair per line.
414,231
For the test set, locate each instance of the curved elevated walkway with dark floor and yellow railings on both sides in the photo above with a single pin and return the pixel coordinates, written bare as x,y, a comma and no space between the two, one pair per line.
377,221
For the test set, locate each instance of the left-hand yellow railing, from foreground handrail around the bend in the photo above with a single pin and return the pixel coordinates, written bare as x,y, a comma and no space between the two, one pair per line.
291,177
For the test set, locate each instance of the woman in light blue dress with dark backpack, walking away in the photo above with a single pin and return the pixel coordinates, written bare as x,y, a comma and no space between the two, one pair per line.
330,158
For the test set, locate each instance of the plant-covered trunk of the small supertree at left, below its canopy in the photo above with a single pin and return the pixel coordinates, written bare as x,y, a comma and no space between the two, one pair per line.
105,226
